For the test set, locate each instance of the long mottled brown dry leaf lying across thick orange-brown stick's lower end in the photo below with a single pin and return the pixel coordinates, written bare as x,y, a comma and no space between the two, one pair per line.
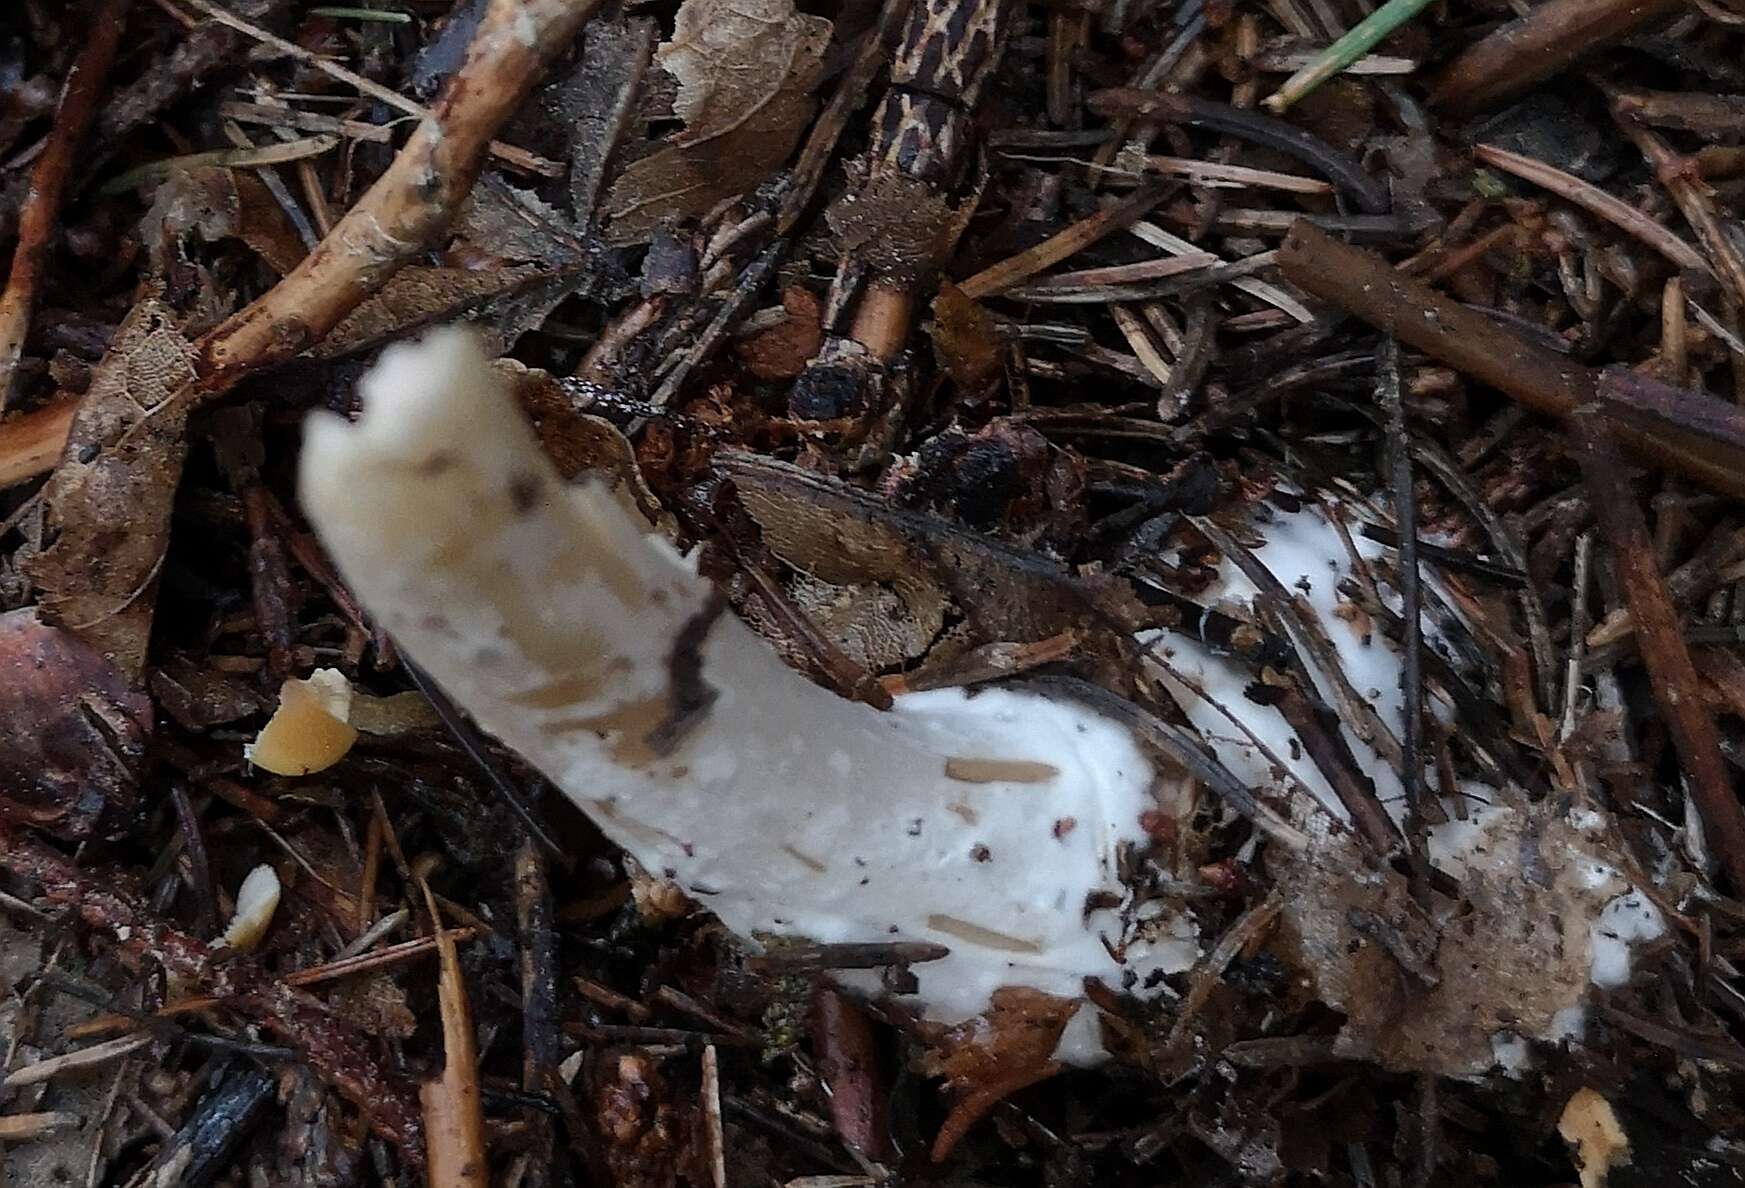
109,500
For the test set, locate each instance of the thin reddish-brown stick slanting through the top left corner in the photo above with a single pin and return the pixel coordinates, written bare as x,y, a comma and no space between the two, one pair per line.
48,184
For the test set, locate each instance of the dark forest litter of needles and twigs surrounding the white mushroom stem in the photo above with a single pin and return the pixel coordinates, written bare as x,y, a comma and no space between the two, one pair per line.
969,341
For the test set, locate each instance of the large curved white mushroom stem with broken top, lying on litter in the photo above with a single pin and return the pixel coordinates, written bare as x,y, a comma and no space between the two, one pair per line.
598,653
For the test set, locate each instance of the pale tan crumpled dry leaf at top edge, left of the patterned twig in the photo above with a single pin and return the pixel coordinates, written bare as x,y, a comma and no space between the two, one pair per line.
734,58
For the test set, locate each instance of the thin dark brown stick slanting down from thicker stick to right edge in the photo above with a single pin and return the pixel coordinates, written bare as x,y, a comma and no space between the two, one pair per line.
1673,676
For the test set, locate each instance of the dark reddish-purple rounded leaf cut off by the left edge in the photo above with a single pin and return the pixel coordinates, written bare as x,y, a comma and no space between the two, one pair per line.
74,734
